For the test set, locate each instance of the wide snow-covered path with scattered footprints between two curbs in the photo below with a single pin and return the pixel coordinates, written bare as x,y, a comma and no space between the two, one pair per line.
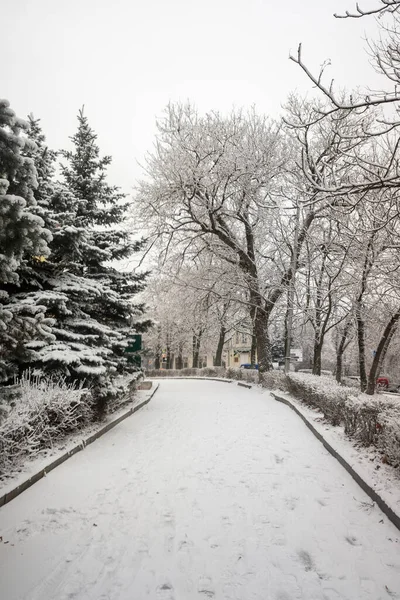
210,491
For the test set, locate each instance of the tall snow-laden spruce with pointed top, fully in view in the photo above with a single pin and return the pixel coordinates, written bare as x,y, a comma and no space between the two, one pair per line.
90,301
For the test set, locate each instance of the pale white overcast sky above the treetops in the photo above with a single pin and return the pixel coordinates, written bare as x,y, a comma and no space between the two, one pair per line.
126,59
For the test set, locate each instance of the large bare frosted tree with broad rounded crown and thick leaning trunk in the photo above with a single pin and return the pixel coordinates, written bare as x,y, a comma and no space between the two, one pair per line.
209,189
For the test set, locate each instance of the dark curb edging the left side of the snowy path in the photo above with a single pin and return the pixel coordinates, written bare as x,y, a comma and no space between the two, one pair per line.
81,446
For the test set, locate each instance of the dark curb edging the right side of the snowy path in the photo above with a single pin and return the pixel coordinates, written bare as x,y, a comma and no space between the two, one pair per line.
375,497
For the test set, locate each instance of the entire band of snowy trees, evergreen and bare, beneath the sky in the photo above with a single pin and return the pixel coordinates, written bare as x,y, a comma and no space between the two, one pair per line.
280,232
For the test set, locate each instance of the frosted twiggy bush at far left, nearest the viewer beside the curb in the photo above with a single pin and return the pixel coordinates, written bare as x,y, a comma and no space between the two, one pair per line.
43,413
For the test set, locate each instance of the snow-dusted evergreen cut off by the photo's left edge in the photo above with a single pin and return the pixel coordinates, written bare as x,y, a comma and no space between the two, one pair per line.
22,236
